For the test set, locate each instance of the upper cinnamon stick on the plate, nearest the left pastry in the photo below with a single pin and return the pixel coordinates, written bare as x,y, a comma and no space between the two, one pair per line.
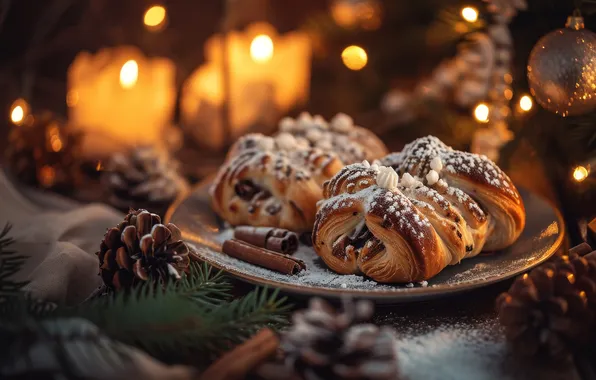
274,239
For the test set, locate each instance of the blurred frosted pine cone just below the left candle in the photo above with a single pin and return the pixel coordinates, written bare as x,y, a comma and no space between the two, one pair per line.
144,178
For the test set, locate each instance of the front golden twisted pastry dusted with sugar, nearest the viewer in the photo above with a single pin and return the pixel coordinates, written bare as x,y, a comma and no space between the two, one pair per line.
391,230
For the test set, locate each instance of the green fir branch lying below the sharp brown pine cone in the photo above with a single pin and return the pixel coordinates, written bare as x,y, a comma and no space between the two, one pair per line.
185,319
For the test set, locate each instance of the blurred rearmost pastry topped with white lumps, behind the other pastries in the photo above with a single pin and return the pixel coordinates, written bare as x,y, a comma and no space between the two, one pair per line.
350,142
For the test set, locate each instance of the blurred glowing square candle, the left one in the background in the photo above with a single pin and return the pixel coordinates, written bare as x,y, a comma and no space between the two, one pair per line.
120,98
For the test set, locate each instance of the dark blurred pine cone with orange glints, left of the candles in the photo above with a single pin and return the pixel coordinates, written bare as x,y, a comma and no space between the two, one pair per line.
43,152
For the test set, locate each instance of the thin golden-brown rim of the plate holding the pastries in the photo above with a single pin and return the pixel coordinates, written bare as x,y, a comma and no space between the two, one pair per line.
402,295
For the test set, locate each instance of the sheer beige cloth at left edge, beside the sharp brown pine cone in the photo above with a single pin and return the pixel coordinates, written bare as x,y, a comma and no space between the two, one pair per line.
59,236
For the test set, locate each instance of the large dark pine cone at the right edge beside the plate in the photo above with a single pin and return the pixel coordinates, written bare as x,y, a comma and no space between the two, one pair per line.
550,311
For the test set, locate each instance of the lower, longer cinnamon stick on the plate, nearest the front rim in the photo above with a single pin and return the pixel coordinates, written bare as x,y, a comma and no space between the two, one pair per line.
262,257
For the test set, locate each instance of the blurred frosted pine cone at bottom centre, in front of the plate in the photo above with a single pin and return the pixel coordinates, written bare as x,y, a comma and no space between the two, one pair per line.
323,344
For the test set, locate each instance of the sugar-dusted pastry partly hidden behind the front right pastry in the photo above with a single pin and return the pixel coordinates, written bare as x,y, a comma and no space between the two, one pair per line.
467,174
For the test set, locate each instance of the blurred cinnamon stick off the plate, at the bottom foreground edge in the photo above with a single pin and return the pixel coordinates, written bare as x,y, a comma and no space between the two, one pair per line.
236,364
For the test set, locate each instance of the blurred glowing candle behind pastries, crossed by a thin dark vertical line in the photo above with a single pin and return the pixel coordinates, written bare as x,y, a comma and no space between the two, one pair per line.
269,74
